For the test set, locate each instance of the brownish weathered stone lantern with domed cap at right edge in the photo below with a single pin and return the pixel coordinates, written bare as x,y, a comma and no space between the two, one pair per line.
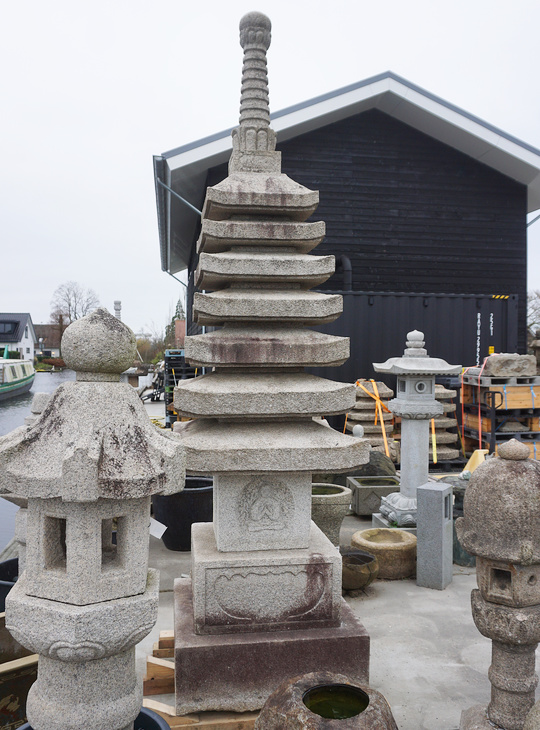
501,526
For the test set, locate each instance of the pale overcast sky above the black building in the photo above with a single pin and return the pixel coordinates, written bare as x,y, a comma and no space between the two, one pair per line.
90,91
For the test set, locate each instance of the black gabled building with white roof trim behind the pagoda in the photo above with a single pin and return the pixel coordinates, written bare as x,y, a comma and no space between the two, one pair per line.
425,209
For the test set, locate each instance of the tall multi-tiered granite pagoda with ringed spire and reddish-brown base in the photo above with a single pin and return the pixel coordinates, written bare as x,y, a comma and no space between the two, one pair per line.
264,598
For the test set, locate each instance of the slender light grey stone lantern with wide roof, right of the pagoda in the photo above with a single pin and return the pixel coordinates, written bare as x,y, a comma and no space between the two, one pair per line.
415,404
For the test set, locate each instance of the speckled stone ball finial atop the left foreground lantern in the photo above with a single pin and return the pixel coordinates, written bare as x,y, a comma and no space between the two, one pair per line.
99,343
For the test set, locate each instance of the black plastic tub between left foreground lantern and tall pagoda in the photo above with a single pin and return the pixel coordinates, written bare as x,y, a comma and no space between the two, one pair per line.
179,511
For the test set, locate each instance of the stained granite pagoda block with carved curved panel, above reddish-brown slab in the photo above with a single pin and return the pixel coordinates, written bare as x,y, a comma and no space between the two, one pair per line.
264,590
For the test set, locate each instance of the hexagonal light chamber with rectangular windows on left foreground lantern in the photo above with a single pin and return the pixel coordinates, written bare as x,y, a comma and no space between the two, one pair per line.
71,556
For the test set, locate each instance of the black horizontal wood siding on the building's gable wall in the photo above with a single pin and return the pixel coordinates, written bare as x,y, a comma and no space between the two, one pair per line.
411,214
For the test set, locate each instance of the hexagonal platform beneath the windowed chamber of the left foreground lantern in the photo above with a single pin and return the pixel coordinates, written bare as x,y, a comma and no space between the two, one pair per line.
80,633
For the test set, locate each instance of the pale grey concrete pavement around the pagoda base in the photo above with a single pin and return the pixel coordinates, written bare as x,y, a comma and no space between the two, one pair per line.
427,657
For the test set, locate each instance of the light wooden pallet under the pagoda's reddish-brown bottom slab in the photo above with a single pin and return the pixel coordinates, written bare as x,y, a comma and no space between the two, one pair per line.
159,679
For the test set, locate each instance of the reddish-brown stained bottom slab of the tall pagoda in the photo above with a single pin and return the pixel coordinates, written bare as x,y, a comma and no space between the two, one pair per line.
238,672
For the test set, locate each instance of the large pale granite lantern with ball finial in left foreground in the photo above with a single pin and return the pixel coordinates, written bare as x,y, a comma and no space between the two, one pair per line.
88,467
